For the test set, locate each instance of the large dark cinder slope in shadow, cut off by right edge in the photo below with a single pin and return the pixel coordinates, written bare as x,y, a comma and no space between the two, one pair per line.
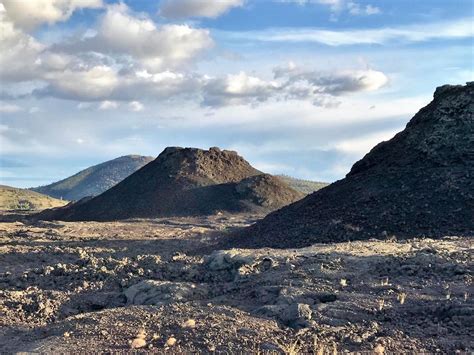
419,183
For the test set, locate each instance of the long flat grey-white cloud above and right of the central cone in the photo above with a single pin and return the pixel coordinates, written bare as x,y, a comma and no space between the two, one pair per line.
291,82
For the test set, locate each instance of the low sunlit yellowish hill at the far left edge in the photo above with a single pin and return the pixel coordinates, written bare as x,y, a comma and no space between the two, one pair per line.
12,198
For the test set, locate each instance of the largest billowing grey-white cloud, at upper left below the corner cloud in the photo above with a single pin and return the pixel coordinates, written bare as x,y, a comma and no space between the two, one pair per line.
126,58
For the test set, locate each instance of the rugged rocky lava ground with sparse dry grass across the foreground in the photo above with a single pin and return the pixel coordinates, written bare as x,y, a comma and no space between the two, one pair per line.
160,285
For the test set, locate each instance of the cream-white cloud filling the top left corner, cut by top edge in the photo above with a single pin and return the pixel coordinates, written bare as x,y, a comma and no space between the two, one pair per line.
31,13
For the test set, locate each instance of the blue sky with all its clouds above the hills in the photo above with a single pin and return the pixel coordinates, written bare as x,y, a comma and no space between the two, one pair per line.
298,87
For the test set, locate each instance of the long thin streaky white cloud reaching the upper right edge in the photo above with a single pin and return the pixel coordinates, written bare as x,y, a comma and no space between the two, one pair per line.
455,29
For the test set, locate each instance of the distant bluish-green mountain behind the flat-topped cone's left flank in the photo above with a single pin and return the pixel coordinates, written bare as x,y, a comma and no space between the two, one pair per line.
95,180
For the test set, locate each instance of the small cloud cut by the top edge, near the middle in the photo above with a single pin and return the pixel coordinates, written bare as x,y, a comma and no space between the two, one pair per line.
197,8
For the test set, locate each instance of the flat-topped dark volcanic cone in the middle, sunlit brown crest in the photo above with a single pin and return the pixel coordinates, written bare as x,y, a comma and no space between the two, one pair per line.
185,182
